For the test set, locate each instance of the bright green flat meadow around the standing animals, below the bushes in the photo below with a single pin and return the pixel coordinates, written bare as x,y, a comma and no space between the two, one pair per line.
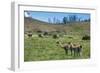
37,48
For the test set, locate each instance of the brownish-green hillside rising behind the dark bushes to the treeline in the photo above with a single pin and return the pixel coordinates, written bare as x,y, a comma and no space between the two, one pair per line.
36,25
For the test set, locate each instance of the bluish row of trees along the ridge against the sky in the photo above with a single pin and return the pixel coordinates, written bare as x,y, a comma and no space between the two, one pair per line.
67,19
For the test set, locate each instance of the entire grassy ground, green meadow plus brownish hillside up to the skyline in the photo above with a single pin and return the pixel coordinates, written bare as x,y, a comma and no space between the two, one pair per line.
45,48
